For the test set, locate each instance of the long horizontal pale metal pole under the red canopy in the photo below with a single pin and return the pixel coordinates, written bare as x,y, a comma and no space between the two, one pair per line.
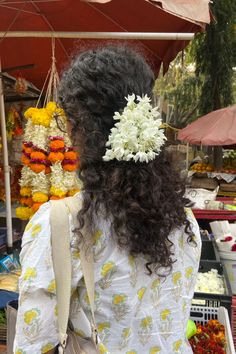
99,35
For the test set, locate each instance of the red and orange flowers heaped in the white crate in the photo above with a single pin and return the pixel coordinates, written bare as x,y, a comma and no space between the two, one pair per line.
209,338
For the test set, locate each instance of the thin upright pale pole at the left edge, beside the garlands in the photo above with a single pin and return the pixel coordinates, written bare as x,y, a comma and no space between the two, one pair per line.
6,168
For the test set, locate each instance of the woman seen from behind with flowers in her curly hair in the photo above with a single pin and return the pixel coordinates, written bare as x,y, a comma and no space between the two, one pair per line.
146,243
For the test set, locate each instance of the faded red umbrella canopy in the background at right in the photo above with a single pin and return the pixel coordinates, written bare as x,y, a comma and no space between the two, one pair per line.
215,128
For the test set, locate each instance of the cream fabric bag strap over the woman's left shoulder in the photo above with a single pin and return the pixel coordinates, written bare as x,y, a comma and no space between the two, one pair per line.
61,255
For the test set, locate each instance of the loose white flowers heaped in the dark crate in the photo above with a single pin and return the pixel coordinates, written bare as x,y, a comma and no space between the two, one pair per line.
210,282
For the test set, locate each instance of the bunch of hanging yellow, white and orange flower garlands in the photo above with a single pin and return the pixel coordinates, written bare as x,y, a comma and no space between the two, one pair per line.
49,161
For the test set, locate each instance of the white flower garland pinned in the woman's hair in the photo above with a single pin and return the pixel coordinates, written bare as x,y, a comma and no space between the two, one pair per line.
137,135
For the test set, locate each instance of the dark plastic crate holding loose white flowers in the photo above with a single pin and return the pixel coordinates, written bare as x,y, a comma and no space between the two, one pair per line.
214,300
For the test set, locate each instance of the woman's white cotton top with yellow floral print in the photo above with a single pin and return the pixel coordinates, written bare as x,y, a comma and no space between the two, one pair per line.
135,313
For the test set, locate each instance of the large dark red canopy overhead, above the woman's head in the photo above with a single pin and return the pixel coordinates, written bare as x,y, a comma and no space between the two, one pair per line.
185,16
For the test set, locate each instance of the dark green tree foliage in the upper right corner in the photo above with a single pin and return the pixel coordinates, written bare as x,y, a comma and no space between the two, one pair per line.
214,53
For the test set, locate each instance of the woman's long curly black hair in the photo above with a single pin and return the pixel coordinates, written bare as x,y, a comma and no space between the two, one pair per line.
145,201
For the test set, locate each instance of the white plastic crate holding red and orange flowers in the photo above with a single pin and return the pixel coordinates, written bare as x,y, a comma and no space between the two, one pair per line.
202,315
